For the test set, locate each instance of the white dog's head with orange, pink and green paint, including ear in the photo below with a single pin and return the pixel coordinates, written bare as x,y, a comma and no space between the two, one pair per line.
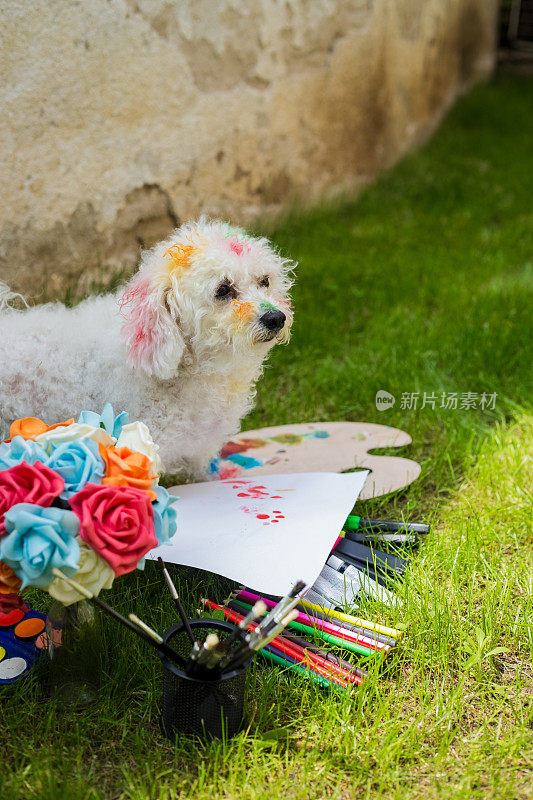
211,292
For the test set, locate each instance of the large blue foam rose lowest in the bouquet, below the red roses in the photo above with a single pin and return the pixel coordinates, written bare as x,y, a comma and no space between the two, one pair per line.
39,539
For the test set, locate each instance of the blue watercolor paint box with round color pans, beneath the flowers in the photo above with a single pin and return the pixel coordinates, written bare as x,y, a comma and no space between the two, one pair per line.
21,644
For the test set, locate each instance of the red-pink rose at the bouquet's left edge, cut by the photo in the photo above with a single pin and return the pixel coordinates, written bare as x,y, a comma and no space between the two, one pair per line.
28,483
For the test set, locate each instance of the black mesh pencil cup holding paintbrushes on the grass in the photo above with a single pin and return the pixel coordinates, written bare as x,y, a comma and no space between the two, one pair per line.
197,707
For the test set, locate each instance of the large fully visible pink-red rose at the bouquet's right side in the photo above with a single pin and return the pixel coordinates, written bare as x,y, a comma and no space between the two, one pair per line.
117,522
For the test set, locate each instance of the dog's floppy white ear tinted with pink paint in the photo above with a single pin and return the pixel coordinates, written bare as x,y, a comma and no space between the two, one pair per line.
151,329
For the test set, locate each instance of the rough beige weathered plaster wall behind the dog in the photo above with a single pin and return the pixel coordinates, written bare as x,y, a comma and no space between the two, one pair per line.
119,118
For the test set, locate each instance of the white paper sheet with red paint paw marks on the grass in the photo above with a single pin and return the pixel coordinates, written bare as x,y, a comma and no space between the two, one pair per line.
266,532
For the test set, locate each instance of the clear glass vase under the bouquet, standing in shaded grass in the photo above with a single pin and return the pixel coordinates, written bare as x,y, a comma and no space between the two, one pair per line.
74,644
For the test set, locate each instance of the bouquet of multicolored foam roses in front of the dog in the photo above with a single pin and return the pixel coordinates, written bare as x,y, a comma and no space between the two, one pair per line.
82,497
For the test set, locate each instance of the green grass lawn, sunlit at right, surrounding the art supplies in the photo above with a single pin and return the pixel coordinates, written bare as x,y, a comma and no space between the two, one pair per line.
424,284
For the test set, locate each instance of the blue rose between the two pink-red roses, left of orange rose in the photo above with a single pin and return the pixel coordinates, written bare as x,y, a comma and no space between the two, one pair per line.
78,462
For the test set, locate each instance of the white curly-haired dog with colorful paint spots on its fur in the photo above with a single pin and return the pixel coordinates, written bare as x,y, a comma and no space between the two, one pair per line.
180,348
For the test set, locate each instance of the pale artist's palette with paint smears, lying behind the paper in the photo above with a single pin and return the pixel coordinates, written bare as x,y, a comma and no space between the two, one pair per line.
321,447
